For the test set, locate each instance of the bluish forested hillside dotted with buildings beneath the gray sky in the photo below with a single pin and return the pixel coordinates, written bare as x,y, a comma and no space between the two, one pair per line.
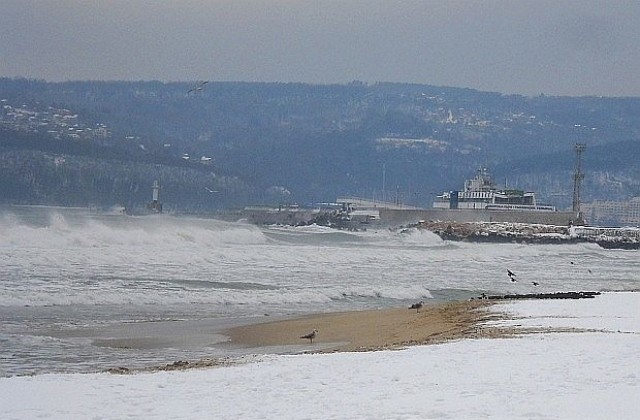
217,145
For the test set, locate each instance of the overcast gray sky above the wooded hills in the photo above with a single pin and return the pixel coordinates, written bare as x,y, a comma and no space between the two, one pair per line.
561,47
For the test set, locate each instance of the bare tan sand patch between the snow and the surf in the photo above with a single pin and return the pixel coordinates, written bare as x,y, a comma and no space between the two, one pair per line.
368,330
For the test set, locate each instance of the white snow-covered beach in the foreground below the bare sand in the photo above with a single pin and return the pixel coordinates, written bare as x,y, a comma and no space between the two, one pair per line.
583,362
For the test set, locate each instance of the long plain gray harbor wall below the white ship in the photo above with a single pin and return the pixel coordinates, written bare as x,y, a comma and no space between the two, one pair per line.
397,217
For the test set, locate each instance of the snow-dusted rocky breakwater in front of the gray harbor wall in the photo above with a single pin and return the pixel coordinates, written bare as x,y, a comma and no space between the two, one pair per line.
533,233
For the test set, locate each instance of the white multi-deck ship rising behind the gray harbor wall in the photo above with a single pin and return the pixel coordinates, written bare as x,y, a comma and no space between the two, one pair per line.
481,193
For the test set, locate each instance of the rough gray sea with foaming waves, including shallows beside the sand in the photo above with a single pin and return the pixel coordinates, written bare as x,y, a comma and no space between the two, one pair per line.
83,290
